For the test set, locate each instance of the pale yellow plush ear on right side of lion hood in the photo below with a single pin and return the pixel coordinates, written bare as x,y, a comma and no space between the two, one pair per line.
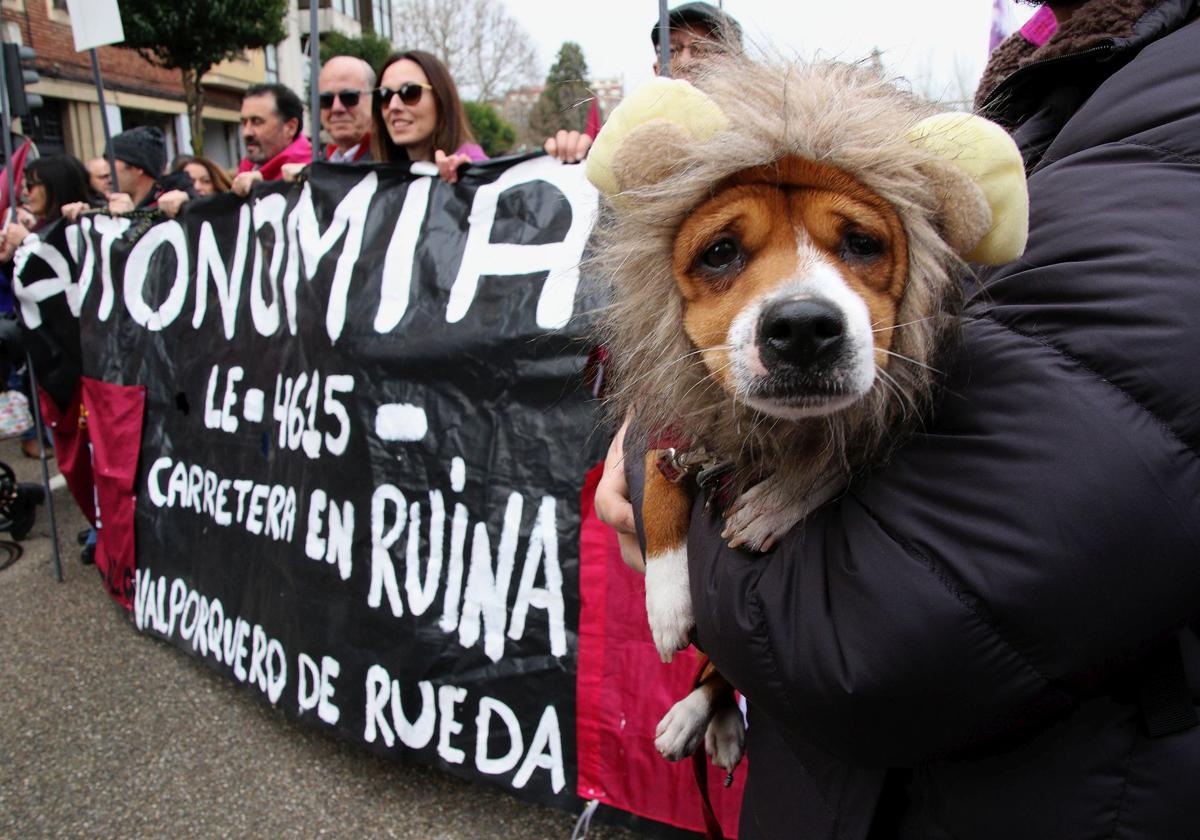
981,179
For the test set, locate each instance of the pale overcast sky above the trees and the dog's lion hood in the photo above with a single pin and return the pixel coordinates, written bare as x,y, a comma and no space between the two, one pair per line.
938,45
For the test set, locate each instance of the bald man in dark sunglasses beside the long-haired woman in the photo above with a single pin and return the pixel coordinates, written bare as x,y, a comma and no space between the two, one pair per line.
346,85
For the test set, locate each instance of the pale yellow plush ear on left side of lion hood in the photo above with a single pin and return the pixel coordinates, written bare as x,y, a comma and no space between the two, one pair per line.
639,145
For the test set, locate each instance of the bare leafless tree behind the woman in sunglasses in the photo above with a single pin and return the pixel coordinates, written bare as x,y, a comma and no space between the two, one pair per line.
487,51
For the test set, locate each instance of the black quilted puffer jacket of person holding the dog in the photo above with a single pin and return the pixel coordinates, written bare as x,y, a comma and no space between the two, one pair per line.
977,640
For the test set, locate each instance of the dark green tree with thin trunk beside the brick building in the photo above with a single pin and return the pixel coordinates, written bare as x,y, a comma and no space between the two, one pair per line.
194,35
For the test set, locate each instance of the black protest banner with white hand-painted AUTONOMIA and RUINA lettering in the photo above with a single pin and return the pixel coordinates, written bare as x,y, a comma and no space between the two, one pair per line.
339,440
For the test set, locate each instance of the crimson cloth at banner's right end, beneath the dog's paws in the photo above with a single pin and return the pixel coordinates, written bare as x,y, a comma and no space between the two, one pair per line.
623,691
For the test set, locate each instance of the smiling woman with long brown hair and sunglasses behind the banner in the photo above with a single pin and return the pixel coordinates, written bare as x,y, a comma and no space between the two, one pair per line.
419,116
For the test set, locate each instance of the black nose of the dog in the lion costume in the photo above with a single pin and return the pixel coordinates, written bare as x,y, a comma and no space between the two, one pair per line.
800,333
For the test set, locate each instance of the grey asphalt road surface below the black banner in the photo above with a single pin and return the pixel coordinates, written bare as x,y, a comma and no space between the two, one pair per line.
109,734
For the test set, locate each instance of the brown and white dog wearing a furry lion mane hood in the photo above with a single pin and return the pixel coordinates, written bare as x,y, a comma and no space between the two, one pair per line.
944,189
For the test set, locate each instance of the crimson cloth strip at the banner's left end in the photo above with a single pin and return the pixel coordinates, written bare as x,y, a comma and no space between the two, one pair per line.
98,442
